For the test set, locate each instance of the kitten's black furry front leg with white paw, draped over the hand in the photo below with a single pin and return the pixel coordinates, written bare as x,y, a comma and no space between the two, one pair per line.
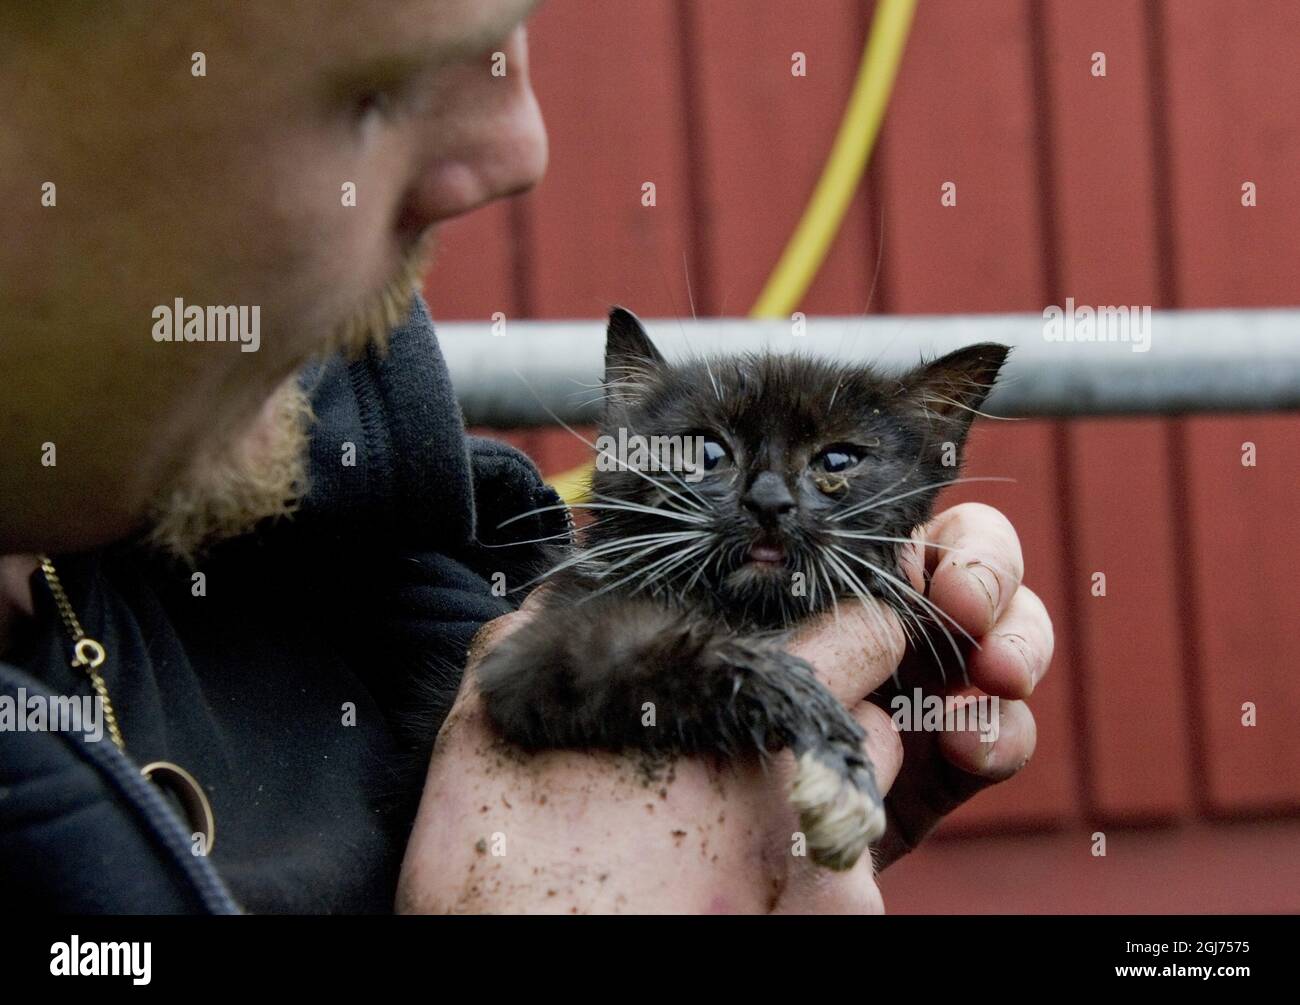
584,677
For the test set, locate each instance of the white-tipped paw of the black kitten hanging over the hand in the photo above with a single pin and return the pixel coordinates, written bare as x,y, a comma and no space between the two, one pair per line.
840,808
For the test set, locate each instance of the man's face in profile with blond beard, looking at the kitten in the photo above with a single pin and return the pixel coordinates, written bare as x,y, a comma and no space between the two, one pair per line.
304,105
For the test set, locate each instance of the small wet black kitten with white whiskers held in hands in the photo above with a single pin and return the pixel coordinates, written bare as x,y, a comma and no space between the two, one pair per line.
779,488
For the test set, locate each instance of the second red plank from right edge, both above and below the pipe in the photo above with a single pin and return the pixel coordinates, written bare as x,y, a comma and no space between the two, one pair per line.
1128,653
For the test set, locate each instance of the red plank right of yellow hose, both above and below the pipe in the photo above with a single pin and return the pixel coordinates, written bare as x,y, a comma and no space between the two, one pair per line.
963,112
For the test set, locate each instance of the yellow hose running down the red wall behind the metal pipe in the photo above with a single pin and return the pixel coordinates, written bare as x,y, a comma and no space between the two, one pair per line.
808,248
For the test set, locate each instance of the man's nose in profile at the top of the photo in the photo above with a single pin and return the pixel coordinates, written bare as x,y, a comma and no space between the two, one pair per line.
489,142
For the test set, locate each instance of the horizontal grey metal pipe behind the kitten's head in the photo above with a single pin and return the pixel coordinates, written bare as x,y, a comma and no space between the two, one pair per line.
1195,361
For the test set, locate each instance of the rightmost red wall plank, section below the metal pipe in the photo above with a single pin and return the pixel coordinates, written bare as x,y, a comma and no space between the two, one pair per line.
1245,544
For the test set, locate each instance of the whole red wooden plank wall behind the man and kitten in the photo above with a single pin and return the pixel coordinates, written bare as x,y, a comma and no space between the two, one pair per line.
1124,189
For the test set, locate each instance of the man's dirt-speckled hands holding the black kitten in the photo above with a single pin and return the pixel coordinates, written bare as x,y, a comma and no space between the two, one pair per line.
574,831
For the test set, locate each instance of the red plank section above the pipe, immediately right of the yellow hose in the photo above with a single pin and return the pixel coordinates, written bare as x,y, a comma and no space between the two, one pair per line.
963,112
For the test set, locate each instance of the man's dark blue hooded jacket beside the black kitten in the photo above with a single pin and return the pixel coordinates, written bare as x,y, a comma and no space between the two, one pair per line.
366,600
